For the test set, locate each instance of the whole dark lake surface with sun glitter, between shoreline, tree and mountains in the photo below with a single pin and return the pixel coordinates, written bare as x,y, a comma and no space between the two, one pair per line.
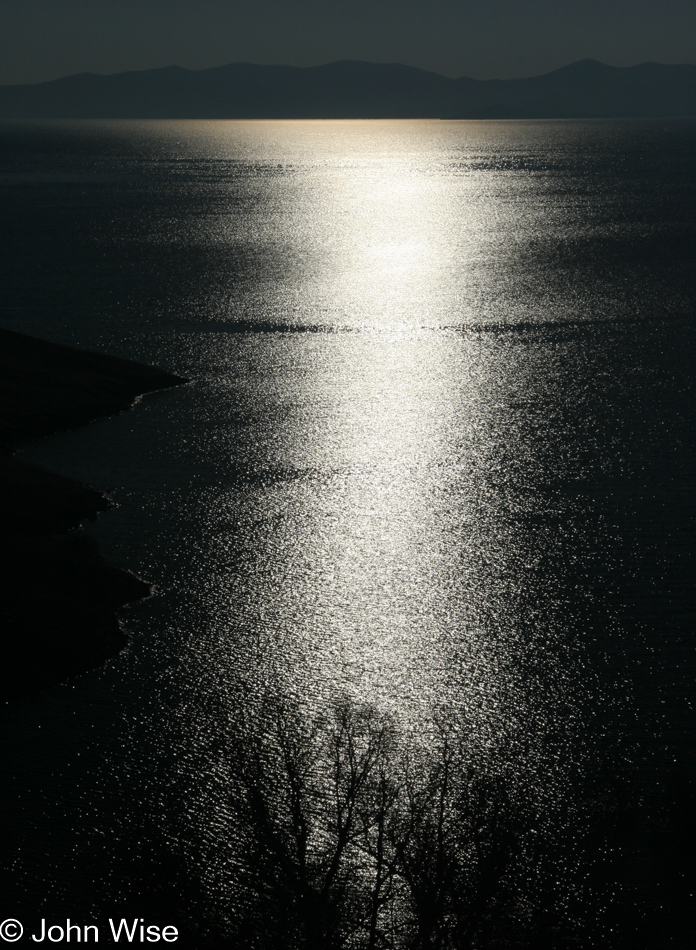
437,455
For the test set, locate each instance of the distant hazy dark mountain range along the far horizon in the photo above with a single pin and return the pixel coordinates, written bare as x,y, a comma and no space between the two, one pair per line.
357,90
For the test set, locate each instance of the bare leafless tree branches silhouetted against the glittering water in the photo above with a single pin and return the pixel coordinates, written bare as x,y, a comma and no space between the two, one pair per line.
358,841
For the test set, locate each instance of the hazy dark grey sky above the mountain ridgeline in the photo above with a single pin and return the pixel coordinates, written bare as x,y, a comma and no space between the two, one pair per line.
43,39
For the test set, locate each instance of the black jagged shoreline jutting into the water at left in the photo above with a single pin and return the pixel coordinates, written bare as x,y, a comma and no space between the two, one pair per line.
58,596
